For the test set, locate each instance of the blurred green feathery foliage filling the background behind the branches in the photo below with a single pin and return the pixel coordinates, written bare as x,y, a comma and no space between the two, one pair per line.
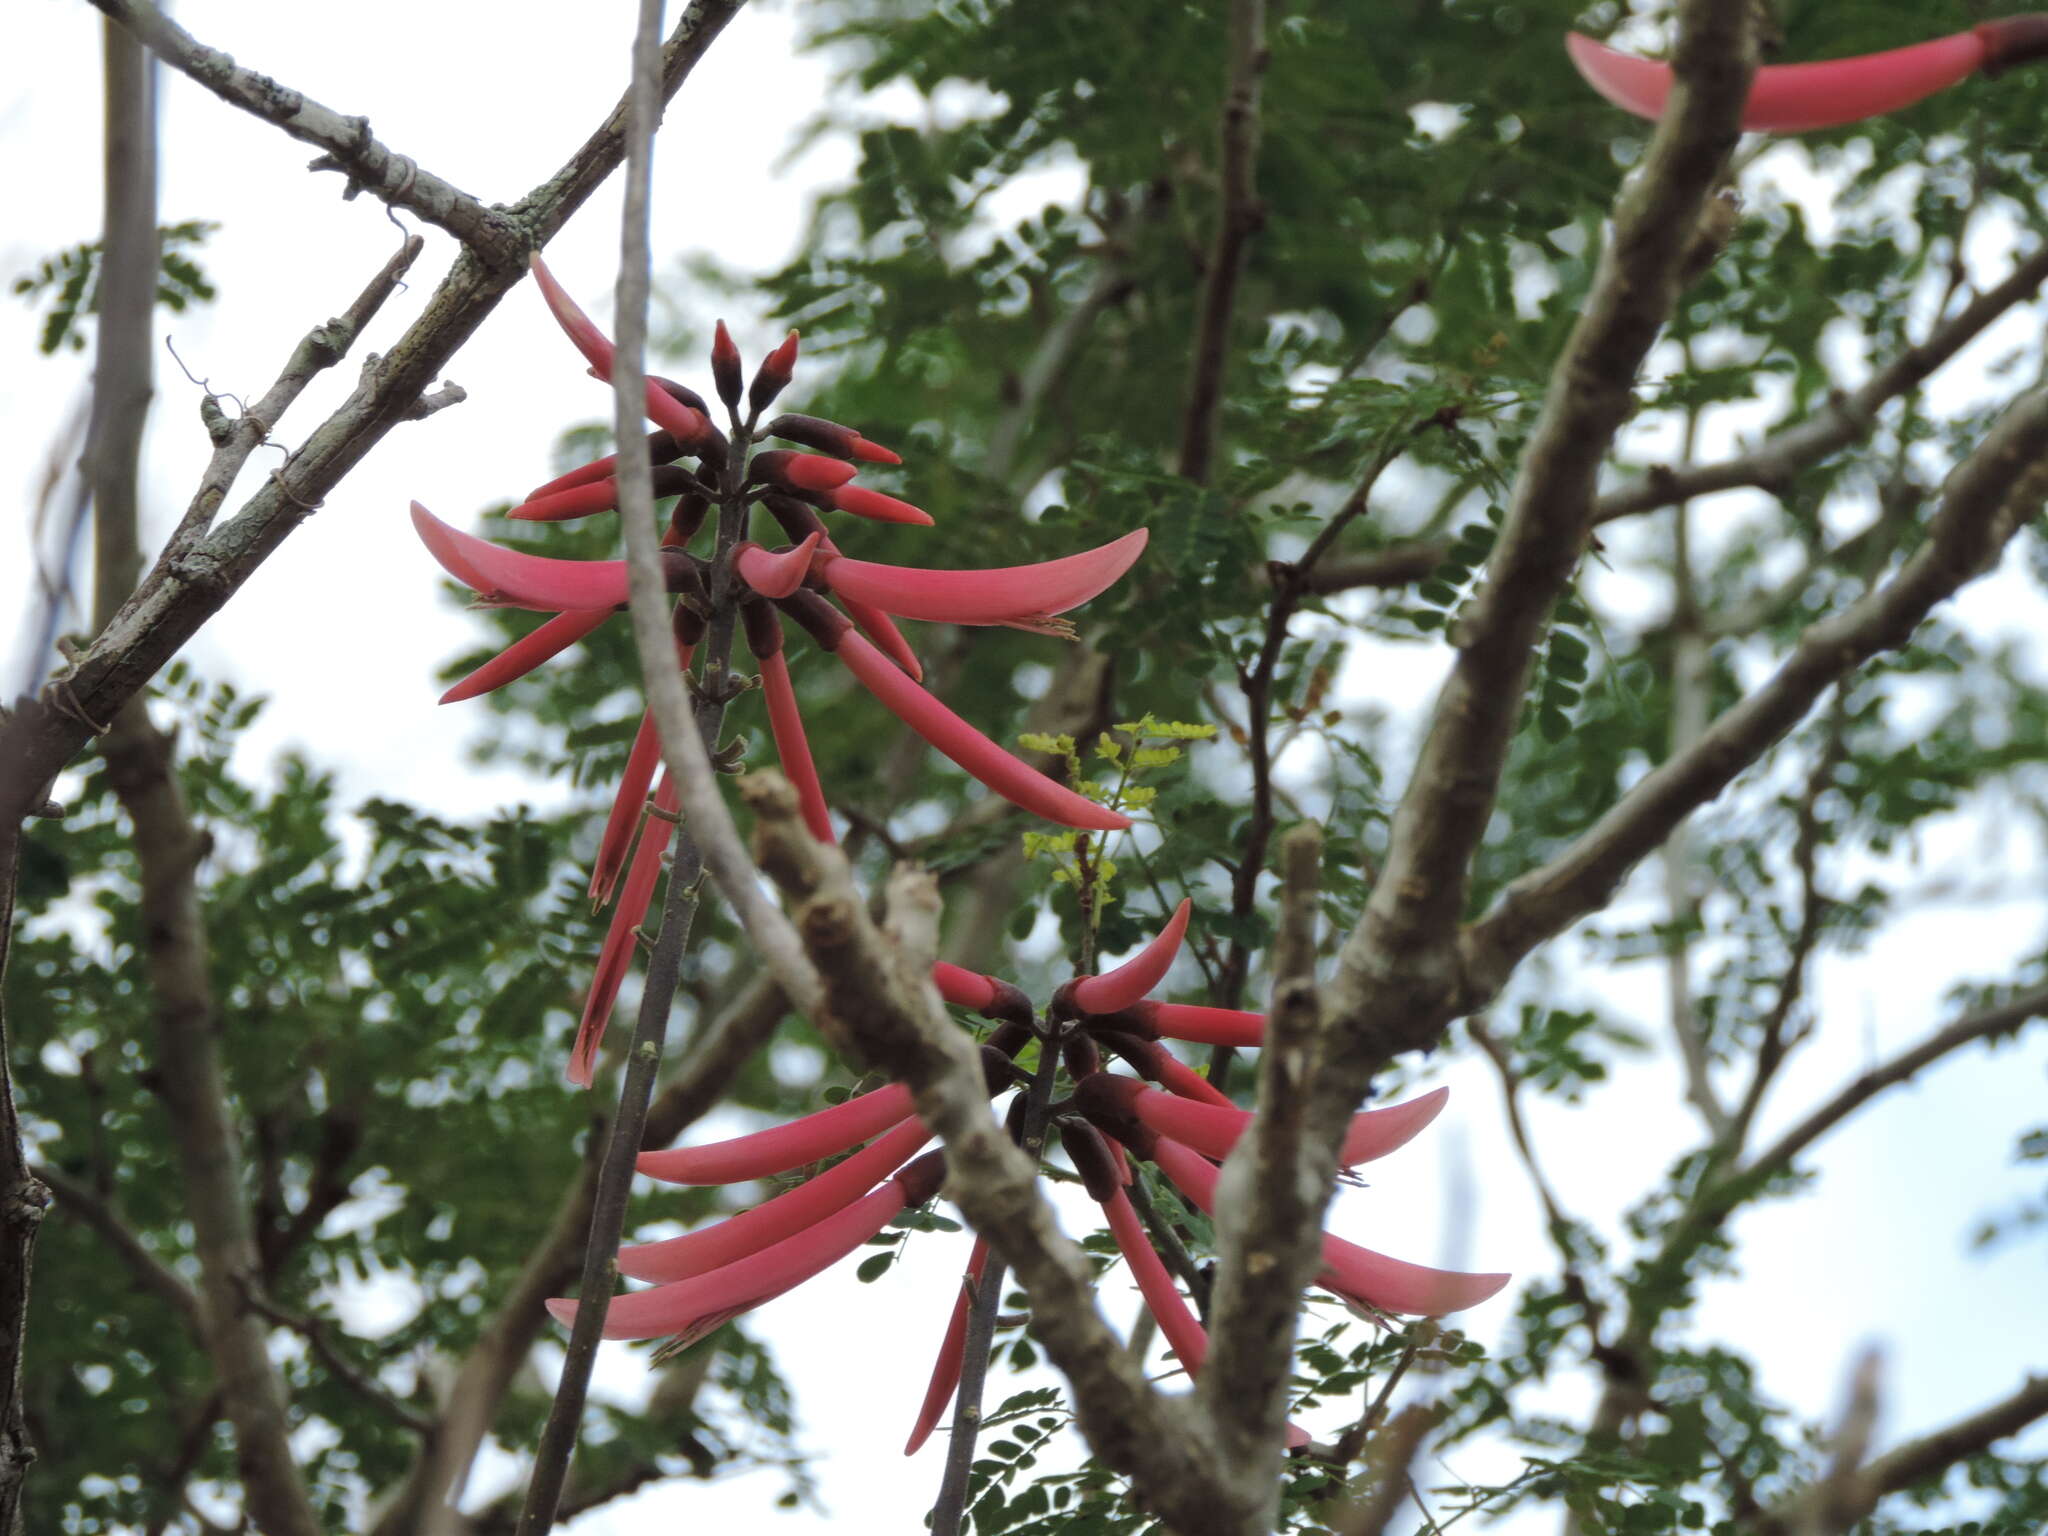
1007,288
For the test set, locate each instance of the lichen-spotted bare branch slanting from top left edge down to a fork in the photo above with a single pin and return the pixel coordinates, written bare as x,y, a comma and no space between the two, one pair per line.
349,146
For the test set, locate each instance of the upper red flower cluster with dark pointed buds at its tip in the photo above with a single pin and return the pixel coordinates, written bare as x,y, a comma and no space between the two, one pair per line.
847,607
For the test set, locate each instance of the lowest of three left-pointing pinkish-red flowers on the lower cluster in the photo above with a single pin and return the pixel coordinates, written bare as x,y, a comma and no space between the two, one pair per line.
691,1310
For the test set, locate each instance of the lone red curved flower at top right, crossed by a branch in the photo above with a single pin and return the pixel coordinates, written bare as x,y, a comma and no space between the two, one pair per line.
1803,97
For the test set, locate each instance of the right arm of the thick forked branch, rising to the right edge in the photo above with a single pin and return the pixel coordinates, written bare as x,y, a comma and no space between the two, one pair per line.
1990,499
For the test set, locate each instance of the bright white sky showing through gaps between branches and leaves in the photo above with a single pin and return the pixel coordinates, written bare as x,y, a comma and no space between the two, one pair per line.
347,624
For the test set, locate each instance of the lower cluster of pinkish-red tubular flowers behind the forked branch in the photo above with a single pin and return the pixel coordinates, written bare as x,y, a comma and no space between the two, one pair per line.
1185,1127
